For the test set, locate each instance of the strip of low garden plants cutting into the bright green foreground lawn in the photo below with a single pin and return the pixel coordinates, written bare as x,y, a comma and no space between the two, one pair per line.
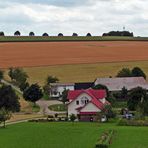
105,140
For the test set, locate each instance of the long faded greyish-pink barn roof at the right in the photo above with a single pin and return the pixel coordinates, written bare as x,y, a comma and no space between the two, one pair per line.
116,84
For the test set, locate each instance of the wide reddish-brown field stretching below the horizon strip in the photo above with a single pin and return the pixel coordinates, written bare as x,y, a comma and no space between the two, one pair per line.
54,53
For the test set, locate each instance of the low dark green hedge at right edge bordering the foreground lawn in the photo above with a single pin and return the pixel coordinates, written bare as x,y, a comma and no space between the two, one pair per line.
125,122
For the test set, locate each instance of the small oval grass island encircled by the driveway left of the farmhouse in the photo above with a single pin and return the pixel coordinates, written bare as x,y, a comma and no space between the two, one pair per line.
58,107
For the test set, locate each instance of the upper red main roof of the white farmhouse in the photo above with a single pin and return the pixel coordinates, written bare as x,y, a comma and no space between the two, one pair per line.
98,94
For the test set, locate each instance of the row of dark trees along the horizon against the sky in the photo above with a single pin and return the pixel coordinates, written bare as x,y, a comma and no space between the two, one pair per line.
111,33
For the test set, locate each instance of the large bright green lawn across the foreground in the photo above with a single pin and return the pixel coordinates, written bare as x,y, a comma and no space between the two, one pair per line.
68,135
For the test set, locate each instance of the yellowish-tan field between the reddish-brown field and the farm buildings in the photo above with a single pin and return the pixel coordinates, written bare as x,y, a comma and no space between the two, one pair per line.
80,72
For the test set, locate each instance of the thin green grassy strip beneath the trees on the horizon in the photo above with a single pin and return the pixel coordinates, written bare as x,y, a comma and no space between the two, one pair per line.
69,38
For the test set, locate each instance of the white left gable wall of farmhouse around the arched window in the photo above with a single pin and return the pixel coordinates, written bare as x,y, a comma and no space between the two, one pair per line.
72,106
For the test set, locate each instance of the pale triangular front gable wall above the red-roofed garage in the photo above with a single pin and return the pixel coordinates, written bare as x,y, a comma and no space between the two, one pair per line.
90,107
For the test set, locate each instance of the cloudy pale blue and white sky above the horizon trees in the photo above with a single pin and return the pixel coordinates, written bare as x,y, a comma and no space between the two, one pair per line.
68,16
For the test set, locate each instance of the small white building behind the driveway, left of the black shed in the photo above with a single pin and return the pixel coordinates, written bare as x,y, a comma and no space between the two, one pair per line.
58,88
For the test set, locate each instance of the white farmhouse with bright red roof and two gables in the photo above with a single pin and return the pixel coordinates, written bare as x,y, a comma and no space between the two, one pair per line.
86,103
